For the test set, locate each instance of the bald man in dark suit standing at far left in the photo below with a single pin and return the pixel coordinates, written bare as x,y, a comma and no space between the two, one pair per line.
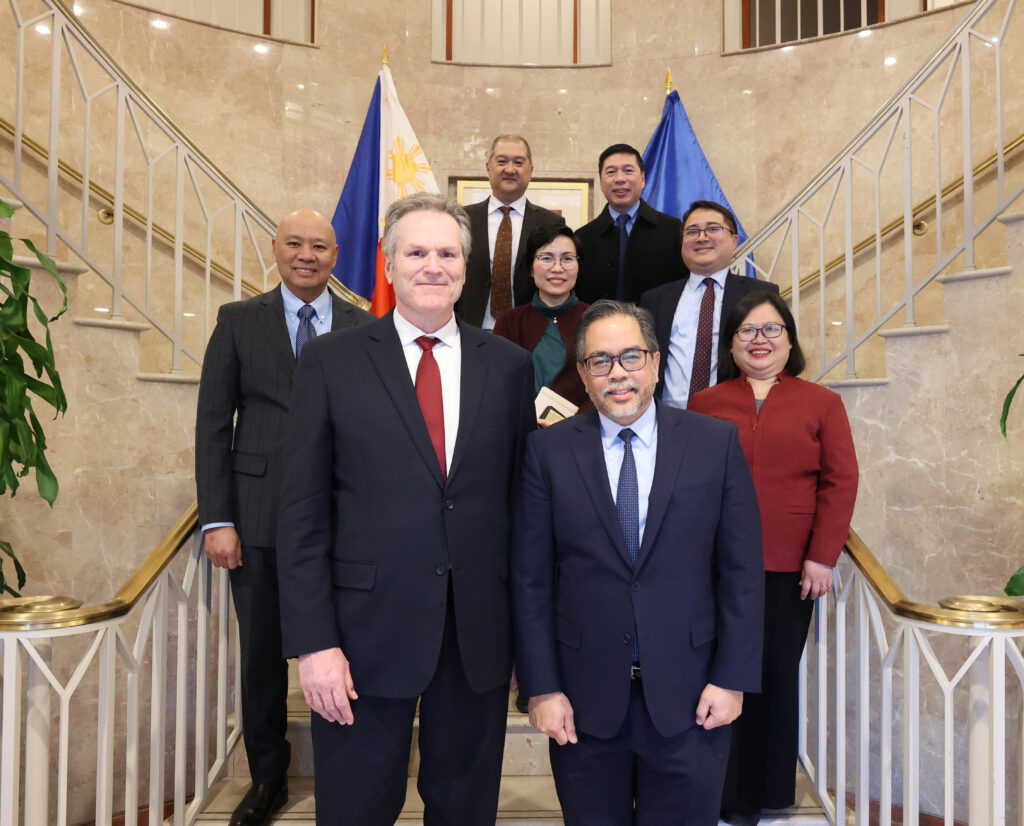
247,372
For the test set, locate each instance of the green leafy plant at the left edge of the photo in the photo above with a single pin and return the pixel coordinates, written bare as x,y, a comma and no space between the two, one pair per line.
23,444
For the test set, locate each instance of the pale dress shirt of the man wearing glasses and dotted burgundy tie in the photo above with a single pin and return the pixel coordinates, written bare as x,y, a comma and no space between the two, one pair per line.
684,338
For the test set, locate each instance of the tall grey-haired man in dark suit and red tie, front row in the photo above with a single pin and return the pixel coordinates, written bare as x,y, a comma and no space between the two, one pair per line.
394,538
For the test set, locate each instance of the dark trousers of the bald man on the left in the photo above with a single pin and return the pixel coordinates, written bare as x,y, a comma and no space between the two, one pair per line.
265,671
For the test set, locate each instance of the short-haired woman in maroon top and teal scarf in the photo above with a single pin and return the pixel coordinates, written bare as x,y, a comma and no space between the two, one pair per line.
547,326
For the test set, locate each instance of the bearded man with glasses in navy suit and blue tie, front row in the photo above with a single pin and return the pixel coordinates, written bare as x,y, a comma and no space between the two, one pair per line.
638,588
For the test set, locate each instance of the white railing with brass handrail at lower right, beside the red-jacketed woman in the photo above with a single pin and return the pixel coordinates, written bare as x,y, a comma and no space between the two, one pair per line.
870,678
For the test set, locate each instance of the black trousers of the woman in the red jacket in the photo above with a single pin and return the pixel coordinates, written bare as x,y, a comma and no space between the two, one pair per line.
763,758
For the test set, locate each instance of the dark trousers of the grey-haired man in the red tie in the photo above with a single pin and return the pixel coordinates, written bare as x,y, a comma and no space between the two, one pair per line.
362,770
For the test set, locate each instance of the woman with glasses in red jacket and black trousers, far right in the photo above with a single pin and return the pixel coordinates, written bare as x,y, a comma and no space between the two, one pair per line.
797,441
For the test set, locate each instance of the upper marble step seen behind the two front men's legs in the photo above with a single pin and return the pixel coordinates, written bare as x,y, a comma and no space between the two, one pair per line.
526,749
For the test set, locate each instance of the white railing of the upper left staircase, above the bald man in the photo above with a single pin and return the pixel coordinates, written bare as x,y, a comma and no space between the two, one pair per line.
81,113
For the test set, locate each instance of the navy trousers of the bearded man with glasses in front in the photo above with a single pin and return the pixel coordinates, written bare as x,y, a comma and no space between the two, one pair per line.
642,777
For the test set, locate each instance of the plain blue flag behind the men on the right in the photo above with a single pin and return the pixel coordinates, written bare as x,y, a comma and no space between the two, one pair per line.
676,168
